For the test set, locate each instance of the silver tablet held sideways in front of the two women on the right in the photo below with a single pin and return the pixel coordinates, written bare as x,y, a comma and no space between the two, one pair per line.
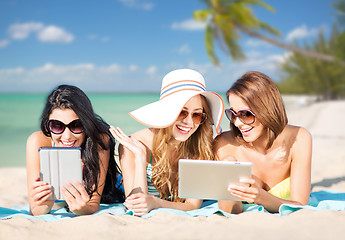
207,179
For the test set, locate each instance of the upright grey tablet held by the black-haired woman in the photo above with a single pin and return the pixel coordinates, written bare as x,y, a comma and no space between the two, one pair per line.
58,165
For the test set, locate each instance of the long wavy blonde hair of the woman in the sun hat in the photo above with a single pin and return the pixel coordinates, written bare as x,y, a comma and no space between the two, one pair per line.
197,146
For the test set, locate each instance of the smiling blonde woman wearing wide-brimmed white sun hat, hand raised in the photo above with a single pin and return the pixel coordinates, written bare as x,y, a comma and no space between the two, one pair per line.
180,126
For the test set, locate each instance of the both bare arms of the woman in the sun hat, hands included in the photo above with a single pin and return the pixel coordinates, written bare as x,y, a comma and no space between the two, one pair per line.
134,156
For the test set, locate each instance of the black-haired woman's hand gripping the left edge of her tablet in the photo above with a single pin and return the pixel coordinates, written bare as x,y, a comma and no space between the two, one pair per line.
40,193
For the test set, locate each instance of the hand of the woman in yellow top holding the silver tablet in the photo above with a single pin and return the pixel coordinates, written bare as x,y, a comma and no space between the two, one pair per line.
248,190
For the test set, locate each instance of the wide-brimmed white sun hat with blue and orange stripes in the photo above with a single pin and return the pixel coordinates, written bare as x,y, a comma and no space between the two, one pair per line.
178,87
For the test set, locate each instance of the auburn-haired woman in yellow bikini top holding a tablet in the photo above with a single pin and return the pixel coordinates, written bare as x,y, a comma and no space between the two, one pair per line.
280,153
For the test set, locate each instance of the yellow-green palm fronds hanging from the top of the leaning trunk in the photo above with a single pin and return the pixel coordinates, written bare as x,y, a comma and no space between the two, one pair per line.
225,19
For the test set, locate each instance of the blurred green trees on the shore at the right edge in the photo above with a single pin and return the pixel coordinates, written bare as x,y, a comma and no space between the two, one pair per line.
302,74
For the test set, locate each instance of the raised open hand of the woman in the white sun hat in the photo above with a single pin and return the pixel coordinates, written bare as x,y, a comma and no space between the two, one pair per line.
135,146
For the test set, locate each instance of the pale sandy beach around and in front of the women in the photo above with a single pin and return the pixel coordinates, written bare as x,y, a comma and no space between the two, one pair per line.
324,120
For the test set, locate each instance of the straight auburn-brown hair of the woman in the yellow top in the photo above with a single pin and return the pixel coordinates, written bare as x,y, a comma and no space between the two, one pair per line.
262,96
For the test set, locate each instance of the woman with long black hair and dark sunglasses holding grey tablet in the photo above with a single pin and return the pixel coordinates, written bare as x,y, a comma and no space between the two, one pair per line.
68,120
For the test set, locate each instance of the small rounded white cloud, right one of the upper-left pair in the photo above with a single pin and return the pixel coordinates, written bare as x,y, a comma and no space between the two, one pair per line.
55,34
